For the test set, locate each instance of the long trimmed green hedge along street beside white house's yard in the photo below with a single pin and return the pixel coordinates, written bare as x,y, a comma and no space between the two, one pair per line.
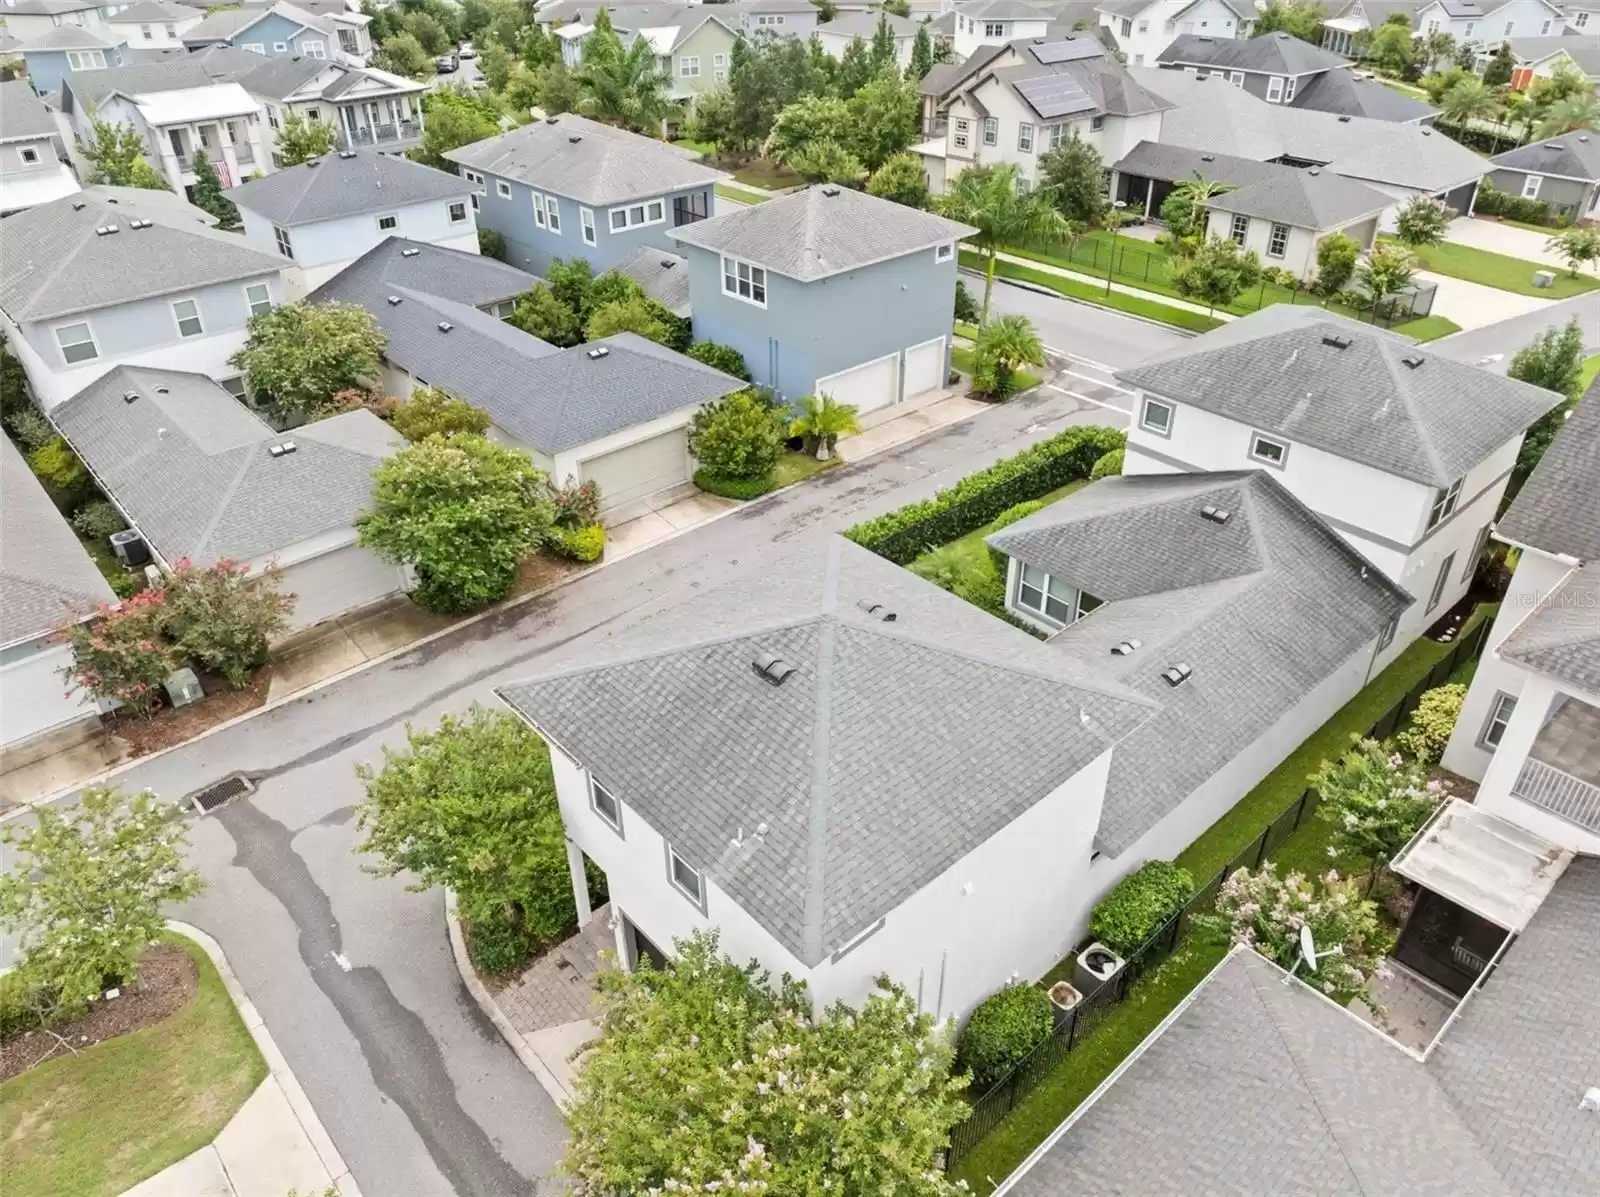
908,532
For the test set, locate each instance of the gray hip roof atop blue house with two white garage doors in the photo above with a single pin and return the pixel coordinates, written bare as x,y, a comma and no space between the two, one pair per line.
822,231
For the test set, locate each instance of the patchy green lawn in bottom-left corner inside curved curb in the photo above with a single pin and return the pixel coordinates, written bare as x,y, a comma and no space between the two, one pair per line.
105,1119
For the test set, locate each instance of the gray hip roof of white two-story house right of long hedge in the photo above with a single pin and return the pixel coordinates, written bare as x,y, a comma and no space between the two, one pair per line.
1273,370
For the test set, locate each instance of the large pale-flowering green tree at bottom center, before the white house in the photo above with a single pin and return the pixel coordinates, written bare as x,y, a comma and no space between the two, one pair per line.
710,1078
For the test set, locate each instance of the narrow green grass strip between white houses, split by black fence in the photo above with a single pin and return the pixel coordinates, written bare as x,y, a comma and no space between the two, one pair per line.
1158,995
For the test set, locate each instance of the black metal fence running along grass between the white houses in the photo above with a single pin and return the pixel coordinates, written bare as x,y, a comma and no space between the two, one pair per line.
1004,1097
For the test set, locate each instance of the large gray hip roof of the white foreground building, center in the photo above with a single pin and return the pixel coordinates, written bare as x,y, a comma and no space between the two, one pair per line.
890,753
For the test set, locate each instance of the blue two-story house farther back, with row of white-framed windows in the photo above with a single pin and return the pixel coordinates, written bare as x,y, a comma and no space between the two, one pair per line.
572,188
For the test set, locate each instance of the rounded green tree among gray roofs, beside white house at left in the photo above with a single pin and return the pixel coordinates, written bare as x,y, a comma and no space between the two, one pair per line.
300,356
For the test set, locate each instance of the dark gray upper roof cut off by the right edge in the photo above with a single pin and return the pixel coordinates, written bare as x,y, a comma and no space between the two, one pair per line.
1559,508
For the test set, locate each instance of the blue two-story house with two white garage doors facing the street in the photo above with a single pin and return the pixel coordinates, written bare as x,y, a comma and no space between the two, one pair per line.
831,292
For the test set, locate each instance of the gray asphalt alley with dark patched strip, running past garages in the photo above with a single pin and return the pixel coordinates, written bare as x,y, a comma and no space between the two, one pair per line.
351,972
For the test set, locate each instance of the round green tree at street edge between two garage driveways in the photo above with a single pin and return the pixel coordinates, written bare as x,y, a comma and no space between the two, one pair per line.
463,511
